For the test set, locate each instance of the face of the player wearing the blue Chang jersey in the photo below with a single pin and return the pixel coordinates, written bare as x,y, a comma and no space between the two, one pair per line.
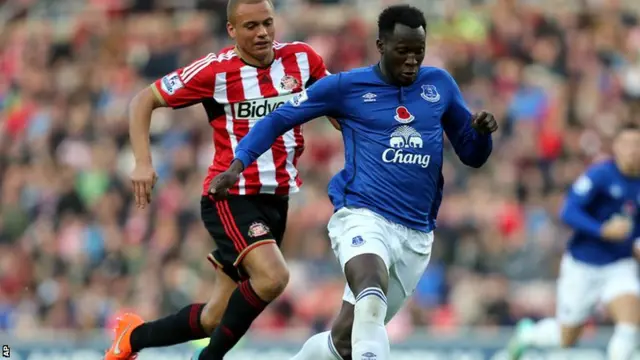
403,53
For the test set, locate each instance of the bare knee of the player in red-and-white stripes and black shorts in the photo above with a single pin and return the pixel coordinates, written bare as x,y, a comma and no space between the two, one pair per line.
267,270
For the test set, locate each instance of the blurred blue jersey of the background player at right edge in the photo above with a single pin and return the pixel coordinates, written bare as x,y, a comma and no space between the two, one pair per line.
597,195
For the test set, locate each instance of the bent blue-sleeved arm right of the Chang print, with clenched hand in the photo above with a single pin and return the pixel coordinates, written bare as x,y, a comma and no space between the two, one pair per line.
470,134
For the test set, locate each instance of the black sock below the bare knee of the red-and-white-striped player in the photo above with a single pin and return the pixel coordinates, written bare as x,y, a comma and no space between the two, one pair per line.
244,307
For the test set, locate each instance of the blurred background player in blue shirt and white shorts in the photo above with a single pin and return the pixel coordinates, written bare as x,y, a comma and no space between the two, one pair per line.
602,208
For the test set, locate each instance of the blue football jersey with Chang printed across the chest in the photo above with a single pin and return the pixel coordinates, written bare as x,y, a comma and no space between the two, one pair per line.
393,139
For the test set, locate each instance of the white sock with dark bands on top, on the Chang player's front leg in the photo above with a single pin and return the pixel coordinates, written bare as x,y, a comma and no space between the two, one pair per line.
369,338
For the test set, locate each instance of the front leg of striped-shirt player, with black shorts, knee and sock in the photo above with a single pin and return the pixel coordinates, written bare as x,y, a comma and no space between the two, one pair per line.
248,222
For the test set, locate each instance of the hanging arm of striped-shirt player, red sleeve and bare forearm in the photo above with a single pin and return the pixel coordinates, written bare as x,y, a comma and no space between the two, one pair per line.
181,88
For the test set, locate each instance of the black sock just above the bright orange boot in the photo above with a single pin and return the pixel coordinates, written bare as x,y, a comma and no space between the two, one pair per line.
174,329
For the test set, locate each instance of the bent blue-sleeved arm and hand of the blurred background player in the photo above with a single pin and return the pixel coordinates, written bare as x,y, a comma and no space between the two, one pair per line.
581,195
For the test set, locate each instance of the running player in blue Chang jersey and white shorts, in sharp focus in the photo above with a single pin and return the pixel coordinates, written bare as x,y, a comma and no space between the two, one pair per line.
393,116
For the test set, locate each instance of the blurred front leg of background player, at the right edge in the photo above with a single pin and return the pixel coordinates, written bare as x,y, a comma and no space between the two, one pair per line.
622,296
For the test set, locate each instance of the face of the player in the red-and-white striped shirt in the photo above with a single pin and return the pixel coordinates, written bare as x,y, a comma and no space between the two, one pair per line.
252,27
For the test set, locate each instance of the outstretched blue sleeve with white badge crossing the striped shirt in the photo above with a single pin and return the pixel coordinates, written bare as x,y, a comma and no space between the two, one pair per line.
320,99
